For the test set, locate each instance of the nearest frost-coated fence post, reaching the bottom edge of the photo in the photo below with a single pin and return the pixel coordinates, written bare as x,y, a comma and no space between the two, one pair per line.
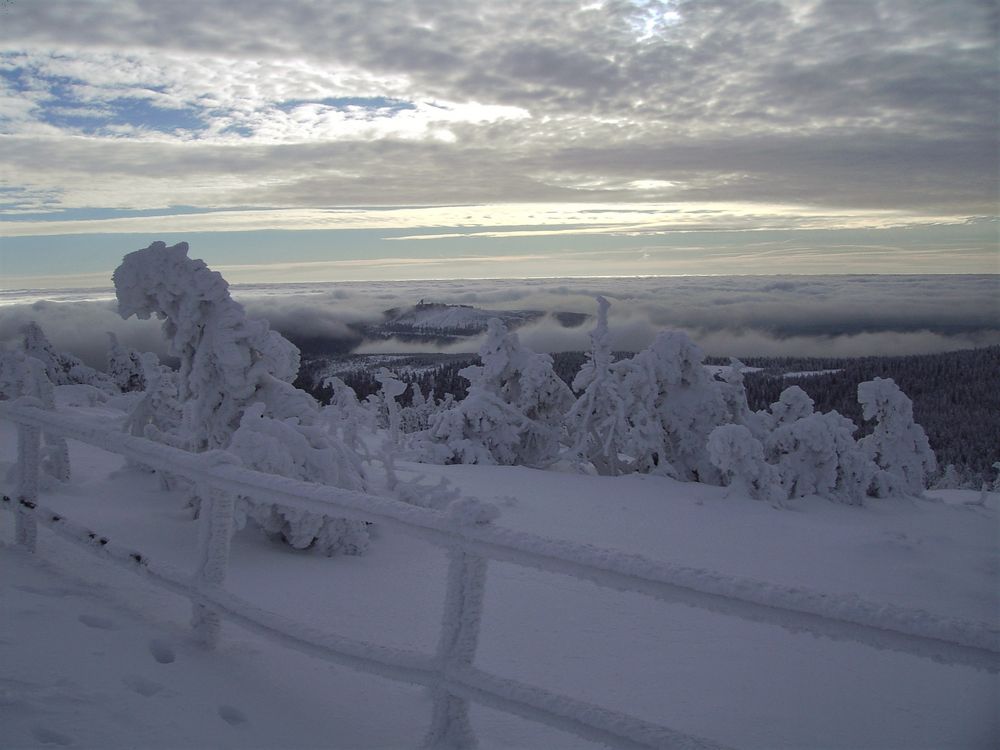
463,609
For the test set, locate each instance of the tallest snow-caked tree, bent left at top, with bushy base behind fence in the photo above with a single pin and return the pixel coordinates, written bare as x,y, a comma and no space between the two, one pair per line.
231,365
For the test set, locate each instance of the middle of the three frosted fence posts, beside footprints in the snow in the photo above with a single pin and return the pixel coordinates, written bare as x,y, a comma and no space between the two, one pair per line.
217,509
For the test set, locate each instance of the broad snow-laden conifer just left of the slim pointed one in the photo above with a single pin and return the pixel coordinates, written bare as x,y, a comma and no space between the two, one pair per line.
513,413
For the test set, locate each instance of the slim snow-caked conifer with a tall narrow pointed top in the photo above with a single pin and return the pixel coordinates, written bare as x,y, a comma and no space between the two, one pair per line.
597,422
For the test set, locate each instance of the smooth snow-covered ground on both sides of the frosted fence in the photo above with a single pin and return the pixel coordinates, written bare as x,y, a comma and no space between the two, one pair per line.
94,656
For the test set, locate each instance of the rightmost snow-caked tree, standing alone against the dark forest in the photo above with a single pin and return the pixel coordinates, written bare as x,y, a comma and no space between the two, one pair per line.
897,445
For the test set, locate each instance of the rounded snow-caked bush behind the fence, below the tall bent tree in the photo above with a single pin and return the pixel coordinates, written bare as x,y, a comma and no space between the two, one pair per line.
290,449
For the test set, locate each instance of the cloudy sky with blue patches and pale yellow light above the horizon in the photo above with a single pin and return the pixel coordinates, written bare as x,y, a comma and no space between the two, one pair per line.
308,140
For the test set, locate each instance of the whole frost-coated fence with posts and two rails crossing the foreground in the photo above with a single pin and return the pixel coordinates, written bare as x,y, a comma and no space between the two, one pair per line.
450,671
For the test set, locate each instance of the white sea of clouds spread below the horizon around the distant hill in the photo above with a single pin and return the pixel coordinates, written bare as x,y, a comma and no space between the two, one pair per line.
727,315
